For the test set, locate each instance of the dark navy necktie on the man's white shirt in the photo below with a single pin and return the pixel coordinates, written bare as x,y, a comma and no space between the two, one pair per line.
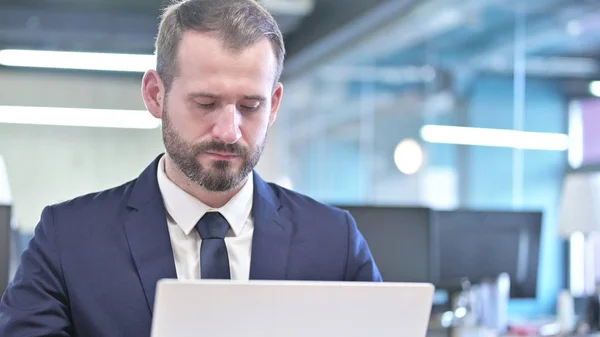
214,262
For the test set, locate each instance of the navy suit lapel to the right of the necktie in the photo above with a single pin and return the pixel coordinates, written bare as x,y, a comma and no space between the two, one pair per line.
272,235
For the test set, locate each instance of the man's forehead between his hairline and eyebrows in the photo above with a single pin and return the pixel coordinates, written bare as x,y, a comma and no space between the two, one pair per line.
202,57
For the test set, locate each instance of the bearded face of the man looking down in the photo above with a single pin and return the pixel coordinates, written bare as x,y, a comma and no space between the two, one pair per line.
217,113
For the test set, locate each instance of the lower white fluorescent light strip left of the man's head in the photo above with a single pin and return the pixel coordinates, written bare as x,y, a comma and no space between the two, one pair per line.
128,119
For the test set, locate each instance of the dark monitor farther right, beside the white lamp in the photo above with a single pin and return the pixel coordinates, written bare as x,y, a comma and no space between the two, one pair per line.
479,245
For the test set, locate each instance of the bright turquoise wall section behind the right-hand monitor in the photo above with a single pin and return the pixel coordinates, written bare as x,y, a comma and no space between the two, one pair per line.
490,172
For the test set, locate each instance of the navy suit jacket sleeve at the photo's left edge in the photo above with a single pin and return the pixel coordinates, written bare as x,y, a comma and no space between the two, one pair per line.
35,302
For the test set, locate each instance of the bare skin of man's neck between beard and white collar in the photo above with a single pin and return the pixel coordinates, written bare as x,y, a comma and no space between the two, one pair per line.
210,198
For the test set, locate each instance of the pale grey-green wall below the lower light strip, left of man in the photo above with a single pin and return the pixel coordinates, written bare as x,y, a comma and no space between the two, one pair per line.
52,164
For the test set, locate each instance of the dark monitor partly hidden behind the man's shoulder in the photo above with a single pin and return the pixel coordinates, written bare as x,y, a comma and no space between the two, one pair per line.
399,239
